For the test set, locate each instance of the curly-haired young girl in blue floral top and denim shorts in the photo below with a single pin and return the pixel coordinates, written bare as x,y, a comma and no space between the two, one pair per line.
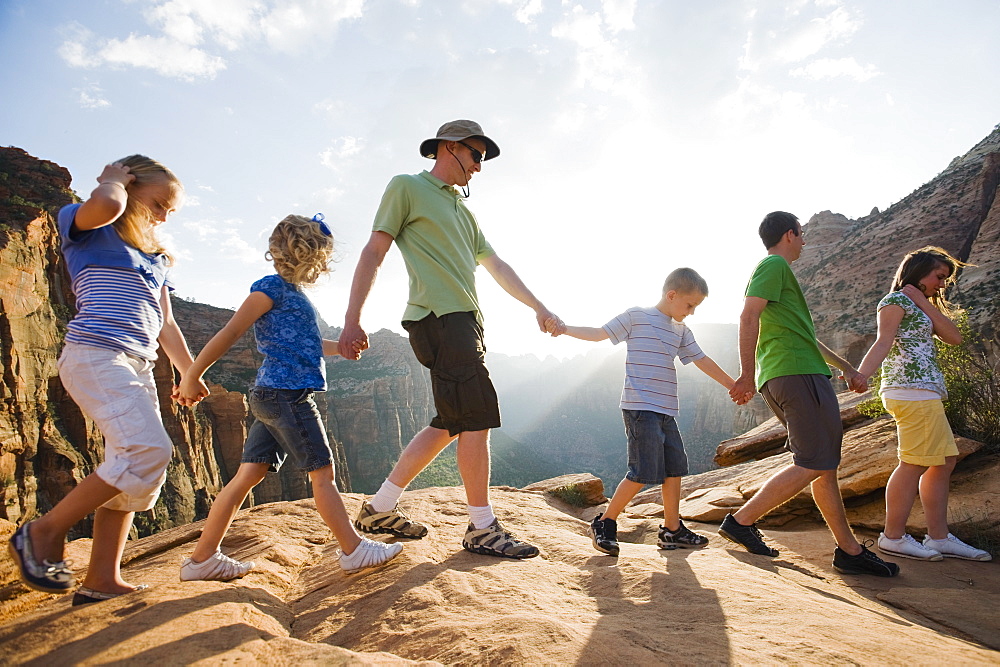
288,422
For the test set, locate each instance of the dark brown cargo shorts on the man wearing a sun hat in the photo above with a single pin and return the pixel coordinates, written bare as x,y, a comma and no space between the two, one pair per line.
451,346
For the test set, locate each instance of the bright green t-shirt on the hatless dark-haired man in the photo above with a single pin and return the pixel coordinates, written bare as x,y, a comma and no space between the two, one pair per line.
786,344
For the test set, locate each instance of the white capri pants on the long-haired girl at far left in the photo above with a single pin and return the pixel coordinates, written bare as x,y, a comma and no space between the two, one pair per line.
117,391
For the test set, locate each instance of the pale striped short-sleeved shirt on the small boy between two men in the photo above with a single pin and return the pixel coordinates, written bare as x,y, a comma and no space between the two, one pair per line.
653,341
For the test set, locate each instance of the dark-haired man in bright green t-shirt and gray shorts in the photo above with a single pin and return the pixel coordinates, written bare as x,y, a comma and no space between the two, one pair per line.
781,357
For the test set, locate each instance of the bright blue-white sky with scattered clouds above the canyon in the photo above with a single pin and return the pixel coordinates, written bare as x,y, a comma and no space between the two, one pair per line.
635,136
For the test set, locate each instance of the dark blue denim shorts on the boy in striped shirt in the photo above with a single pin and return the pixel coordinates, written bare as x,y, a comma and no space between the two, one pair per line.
655,448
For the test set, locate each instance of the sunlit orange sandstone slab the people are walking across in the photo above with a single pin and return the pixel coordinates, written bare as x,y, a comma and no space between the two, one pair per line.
439,603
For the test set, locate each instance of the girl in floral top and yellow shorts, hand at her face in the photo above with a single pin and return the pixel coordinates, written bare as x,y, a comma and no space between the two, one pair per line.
913,391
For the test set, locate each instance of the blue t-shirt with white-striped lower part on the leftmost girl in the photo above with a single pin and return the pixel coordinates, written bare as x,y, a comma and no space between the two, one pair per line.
117,289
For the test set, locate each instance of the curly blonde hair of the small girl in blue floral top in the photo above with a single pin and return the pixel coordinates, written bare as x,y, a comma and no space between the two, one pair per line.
301,249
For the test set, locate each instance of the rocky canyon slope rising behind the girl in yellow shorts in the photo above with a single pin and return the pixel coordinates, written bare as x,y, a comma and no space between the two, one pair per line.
847,265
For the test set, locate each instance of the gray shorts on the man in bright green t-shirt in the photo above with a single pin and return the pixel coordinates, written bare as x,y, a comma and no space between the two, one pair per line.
807,406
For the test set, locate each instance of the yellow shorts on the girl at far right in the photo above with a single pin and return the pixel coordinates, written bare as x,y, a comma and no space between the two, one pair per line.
925,437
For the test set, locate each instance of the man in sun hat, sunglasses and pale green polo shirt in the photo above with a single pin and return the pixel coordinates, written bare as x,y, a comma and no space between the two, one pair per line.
442,244
